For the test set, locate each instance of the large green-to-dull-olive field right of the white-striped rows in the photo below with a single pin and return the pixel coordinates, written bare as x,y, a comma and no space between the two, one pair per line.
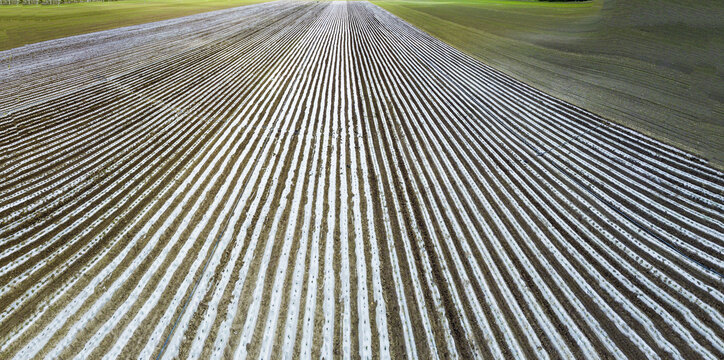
655,66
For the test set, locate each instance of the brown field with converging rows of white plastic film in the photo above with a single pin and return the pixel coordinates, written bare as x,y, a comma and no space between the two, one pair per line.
323,179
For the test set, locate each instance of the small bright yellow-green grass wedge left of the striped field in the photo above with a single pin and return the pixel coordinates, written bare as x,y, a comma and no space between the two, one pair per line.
26,24
